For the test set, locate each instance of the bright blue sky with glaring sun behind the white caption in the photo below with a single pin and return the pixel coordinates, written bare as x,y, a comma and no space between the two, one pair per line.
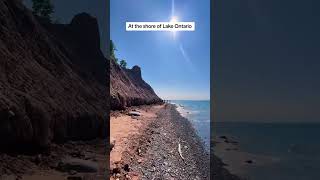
176,68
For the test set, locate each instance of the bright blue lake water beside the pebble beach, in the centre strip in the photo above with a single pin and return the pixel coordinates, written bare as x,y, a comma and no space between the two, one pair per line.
198,112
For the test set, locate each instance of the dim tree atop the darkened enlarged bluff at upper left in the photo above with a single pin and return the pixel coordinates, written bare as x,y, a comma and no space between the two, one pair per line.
43,9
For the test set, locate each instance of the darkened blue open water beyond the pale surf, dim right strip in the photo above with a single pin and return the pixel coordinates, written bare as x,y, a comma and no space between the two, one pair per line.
296,145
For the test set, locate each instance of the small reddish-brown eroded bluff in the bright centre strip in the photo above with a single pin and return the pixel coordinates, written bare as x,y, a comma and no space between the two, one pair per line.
128,88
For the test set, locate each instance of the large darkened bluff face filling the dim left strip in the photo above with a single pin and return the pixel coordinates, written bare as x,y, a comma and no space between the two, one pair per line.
53,83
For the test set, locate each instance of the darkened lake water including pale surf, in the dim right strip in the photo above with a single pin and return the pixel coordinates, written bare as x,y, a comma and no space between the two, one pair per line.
271,148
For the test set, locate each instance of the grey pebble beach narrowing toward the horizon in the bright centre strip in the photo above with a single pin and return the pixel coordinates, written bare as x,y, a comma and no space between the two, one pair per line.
168,148
